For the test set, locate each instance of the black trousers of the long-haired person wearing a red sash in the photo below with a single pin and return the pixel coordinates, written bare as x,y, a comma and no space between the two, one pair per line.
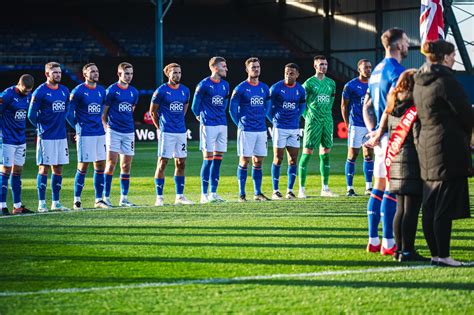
405,221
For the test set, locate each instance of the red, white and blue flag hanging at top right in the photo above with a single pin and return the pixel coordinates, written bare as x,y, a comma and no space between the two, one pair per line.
431,20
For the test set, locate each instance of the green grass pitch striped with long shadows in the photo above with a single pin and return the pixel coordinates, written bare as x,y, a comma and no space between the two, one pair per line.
273,257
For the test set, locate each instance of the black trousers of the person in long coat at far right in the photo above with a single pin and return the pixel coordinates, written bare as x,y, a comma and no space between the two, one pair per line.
443,201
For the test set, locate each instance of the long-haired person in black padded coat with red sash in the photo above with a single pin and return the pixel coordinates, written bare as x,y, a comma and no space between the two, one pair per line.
405,180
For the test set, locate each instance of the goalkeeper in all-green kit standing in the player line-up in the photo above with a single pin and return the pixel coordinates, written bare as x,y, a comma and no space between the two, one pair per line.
318,128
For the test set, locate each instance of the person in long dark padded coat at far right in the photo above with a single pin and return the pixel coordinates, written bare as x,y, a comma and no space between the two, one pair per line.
446,120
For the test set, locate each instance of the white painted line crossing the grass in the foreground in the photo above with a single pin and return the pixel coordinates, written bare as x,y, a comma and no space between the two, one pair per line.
217,280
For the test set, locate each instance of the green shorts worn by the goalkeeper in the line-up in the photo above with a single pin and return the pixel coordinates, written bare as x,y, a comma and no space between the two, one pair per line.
317,133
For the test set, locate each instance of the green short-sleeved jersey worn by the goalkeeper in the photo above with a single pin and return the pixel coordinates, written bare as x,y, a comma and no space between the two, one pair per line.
319,98
